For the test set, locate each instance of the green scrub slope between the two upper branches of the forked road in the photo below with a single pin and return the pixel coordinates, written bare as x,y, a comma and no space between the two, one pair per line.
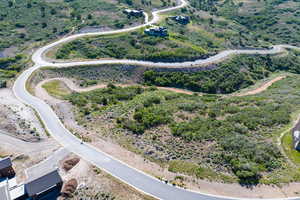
214,26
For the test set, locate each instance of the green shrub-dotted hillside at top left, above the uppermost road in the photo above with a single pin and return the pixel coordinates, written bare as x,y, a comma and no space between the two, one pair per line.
25,21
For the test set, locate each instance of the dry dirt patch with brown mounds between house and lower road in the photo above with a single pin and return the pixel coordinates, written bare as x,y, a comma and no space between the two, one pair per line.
94,184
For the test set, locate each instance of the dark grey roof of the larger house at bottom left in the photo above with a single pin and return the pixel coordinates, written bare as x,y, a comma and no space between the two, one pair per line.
43,183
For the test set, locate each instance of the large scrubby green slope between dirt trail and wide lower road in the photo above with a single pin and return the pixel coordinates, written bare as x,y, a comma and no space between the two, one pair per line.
232,135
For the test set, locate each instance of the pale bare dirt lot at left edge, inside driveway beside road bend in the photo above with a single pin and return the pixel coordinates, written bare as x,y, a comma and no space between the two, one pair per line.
21,135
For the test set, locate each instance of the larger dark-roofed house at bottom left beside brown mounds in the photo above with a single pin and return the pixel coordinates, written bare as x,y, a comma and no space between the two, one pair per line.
41,186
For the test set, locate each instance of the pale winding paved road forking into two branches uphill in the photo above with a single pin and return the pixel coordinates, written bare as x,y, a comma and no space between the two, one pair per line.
116,168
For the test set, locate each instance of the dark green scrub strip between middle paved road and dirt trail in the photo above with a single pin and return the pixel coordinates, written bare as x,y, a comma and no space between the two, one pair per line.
227,77
